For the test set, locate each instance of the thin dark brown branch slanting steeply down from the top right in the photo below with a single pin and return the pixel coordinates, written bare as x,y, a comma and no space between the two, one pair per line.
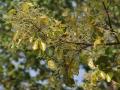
109,21
